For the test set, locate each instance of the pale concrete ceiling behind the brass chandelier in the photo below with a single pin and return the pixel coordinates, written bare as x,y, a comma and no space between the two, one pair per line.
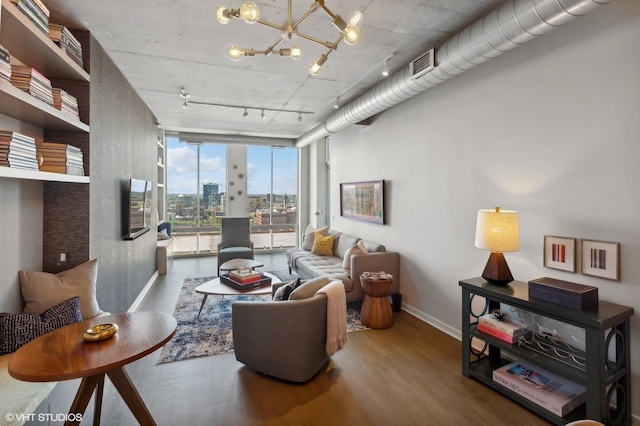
162,46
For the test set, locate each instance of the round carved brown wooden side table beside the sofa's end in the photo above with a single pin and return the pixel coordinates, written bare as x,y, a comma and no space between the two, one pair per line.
376,309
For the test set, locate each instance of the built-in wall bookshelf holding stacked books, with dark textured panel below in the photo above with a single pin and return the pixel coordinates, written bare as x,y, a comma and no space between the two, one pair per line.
65,198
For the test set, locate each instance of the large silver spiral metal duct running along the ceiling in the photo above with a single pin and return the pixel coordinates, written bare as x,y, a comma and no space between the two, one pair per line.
506,28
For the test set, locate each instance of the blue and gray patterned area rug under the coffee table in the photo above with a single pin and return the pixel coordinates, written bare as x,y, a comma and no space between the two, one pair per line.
211,335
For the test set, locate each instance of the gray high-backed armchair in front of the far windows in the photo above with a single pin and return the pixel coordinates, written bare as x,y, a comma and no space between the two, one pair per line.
235,240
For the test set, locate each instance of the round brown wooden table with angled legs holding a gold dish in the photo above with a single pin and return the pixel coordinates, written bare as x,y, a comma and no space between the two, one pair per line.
63,355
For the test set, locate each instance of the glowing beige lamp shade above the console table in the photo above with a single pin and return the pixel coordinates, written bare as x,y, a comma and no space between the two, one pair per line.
497,230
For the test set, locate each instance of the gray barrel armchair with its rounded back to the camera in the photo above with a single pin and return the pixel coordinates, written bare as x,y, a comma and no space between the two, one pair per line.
286,340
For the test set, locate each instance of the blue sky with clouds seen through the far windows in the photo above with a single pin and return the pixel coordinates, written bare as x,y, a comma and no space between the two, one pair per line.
182,168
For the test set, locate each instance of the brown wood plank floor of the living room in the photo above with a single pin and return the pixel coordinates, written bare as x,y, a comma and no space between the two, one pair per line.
409,374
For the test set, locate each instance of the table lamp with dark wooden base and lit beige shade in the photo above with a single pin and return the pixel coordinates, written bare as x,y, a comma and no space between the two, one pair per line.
497,230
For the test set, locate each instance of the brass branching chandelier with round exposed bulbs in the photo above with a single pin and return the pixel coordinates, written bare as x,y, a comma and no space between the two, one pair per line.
250,13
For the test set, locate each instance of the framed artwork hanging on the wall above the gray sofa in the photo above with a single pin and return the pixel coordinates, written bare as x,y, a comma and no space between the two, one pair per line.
363,201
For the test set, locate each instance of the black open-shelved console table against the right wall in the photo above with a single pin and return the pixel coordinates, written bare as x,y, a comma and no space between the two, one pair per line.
606,327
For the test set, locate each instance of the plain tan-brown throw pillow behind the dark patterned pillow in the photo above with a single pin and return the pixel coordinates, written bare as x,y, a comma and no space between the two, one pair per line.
42,290
